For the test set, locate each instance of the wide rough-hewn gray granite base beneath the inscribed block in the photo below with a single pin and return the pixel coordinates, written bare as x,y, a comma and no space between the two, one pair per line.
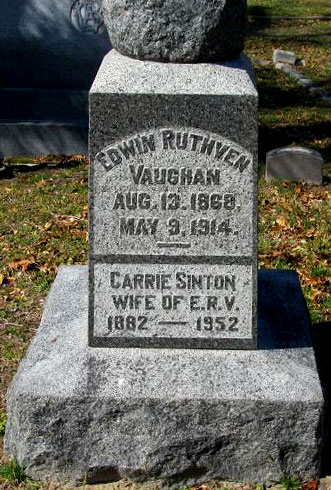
176,416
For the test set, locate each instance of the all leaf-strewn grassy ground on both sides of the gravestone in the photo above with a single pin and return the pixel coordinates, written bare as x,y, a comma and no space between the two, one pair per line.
44,212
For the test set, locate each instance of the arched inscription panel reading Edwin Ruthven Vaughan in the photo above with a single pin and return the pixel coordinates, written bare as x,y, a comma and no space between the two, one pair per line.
173,189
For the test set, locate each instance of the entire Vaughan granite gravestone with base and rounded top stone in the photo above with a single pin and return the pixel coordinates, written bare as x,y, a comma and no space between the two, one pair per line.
174,381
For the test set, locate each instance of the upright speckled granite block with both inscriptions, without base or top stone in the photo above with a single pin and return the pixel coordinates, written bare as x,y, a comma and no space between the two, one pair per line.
173,186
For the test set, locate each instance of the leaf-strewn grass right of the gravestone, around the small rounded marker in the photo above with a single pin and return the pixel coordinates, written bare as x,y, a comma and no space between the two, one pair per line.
290,115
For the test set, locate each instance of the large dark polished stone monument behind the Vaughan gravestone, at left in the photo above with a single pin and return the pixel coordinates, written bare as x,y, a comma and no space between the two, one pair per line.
50,53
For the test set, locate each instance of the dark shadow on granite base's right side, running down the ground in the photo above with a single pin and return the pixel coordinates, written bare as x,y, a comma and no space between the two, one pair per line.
284,323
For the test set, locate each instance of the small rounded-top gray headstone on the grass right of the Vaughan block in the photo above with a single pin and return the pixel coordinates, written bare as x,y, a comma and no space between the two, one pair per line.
295,164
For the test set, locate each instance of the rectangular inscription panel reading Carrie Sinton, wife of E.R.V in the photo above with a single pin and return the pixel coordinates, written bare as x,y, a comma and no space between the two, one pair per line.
172,301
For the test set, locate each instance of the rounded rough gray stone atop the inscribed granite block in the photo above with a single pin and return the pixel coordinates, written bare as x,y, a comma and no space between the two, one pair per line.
177,31
